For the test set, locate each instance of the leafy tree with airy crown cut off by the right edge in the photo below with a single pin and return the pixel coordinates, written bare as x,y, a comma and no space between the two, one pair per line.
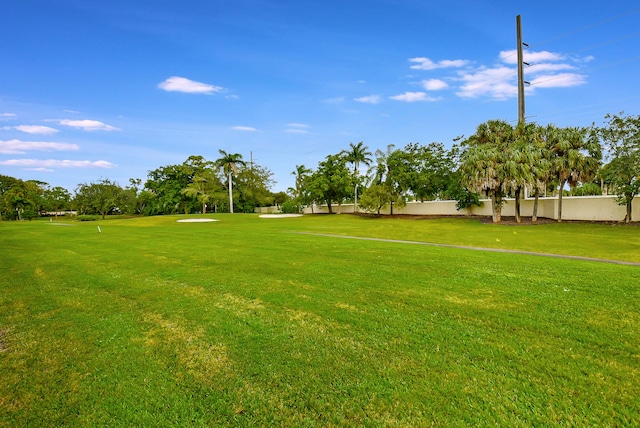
622,137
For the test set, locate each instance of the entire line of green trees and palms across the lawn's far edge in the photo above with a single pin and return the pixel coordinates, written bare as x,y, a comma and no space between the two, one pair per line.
498,161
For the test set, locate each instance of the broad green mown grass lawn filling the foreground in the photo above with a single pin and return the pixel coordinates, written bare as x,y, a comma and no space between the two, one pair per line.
248,322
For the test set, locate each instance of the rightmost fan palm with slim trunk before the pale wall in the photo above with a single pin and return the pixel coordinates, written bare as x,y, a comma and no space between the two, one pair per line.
576,154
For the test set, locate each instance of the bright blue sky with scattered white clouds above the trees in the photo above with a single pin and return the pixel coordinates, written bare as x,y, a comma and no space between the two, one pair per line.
112,89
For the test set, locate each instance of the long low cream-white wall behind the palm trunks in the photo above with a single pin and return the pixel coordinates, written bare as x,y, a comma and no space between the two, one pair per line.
589,208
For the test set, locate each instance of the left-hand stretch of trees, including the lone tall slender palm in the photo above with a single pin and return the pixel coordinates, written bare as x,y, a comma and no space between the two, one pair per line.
196,185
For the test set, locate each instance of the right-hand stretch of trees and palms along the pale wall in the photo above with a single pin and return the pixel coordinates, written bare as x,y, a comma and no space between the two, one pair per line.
499,160
